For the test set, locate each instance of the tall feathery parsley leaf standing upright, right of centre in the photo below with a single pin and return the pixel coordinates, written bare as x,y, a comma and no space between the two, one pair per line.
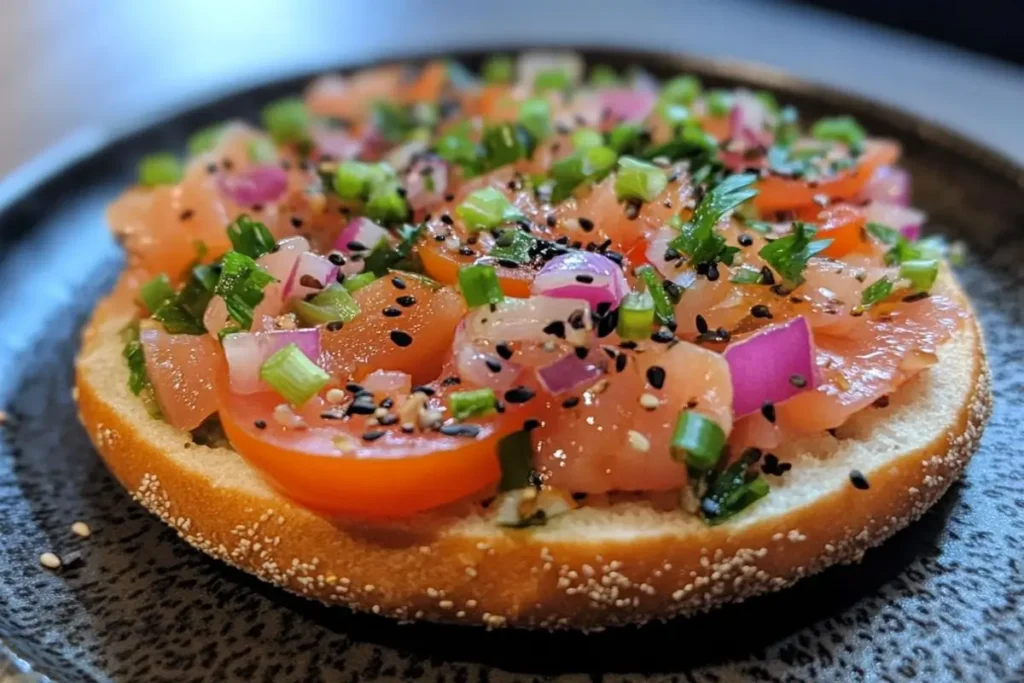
700,238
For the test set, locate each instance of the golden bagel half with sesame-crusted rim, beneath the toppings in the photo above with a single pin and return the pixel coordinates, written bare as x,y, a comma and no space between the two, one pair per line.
620,562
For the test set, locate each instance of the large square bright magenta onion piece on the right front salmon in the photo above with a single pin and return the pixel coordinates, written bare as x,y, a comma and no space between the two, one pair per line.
762,366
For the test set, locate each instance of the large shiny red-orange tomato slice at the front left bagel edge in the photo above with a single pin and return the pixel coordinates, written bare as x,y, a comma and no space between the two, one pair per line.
396,476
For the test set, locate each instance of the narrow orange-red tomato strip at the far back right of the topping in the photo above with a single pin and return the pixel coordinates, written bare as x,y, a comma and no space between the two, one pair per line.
778,194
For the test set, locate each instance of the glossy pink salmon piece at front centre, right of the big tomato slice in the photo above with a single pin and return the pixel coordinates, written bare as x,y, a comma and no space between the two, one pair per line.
590,448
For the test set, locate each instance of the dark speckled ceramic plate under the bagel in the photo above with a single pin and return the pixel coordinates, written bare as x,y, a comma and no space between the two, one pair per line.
943,601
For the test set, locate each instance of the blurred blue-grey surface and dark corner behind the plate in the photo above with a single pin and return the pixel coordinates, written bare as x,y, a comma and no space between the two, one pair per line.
73,73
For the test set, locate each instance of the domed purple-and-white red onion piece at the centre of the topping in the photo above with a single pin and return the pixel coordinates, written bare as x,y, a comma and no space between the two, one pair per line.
561,279
